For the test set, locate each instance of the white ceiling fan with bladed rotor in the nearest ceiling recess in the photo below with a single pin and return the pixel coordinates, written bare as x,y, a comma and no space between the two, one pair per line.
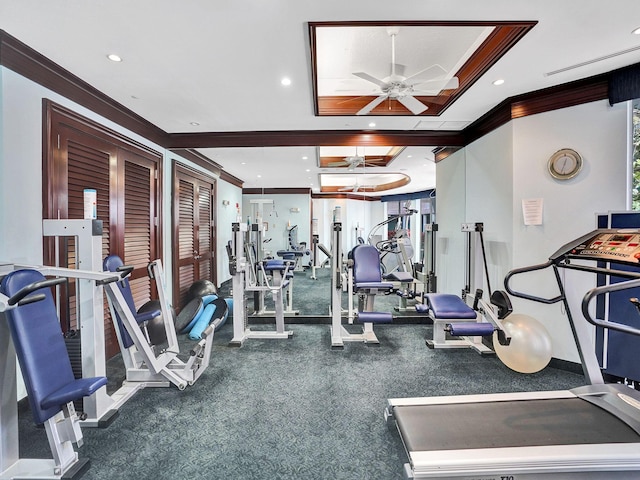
398,87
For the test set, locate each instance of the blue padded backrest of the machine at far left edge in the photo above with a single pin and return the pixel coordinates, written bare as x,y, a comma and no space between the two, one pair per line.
39,342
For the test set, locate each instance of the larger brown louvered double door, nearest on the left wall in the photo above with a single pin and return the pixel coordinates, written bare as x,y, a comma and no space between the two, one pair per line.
80,155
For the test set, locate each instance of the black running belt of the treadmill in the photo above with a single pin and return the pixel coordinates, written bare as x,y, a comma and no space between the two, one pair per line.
508,424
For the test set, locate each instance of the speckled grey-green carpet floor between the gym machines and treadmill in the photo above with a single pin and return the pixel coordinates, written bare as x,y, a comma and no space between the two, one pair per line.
285,409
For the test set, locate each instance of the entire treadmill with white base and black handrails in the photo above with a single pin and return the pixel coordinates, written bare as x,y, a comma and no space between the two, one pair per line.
590,432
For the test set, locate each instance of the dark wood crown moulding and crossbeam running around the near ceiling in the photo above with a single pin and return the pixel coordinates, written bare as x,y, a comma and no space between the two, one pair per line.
27,62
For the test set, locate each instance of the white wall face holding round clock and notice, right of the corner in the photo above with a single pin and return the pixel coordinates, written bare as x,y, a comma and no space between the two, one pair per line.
599,133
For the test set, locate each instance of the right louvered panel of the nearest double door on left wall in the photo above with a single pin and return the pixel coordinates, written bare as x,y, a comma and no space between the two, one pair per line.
140,219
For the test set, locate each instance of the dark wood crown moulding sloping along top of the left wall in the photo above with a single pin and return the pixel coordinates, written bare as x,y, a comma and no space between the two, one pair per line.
25,61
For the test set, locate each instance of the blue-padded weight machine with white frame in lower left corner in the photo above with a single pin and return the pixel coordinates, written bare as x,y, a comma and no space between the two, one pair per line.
30,331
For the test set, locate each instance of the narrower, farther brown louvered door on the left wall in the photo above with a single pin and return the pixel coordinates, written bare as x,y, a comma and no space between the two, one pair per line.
194,227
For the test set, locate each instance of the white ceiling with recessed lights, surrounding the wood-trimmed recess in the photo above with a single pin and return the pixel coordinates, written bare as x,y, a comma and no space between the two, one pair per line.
219,64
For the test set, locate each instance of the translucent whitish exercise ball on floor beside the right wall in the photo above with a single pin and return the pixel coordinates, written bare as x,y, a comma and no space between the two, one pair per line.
530,349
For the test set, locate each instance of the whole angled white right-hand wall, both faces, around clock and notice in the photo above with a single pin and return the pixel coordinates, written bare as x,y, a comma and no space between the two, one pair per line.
488,180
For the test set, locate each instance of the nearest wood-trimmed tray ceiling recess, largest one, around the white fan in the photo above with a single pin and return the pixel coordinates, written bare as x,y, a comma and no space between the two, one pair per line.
464,49
